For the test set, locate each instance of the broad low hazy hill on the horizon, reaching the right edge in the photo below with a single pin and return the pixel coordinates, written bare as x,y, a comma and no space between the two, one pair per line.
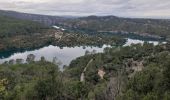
159,27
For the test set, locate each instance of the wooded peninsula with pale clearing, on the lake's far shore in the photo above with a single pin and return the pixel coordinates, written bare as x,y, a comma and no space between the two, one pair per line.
55,37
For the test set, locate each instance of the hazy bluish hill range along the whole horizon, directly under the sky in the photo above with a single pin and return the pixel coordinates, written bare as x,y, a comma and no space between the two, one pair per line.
146,27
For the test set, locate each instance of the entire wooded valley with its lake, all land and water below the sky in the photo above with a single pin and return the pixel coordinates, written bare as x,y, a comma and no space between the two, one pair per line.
45,57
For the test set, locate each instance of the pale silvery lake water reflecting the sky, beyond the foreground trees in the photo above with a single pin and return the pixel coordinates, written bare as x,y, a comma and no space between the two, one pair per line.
64,55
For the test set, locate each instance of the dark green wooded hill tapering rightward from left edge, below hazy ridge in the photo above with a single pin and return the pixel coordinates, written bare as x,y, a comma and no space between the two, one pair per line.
11,27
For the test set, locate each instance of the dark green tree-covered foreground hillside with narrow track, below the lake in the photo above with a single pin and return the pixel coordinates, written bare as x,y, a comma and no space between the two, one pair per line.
127,73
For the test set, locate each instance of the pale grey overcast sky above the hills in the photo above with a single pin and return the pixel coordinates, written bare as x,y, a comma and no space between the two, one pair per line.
122,8
